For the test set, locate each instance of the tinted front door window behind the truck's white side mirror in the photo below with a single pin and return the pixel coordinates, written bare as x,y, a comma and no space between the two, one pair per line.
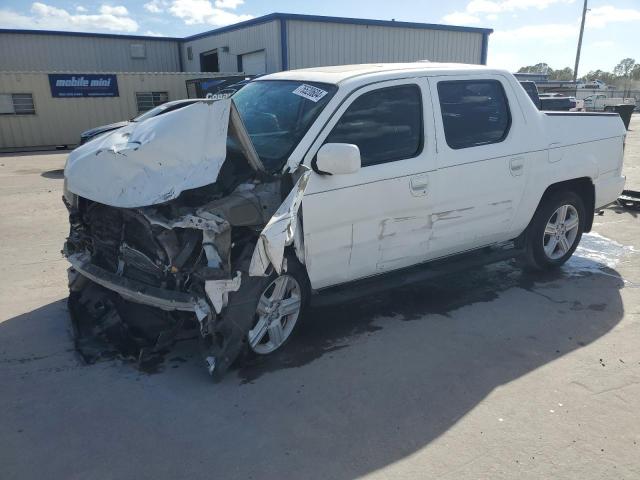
385,124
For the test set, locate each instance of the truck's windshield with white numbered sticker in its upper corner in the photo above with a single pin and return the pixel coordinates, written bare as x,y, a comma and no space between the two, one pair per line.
277,114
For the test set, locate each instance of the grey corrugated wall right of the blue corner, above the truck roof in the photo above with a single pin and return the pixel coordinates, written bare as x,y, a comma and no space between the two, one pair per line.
312,44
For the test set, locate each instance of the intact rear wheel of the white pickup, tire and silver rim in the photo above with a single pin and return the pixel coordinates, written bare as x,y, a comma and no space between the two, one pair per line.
555,231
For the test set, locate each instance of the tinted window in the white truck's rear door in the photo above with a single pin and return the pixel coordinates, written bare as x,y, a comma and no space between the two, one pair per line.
474,112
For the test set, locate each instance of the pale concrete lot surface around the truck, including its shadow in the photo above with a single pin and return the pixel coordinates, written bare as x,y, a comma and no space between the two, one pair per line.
490,374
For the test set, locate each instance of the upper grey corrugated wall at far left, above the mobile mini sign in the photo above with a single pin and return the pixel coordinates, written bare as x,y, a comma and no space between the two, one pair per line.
40,52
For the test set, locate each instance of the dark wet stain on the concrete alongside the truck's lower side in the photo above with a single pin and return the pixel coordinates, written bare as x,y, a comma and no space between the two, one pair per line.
329,329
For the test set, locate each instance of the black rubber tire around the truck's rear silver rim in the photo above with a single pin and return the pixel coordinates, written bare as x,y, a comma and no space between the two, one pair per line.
535,239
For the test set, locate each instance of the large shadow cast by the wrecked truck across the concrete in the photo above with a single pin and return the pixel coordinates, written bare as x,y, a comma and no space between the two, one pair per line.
362,385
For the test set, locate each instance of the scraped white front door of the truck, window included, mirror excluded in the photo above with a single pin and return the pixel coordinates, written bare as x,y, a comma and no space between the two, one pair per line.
376,219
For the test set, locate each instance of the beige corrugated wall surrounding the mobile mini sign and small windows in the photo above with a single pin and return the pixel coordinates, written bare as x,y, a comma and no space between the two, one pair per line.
59,121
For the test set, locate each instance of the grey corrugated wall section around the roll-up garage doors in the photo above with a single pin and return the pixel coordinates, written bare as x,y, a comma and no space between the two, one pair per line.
265,36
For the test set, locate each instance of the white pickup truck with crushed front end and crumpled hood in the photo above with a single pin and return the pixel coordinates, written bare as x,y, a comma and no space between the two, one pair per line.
229,215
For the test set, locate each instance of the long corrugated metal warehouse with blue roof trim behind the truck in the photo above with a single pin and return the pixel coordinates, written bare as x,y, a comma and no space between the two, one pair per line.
29,59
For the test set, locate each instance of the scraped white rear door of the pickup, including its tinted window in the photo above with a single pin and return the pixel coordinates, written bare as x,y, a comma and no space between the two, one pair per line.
483,162
